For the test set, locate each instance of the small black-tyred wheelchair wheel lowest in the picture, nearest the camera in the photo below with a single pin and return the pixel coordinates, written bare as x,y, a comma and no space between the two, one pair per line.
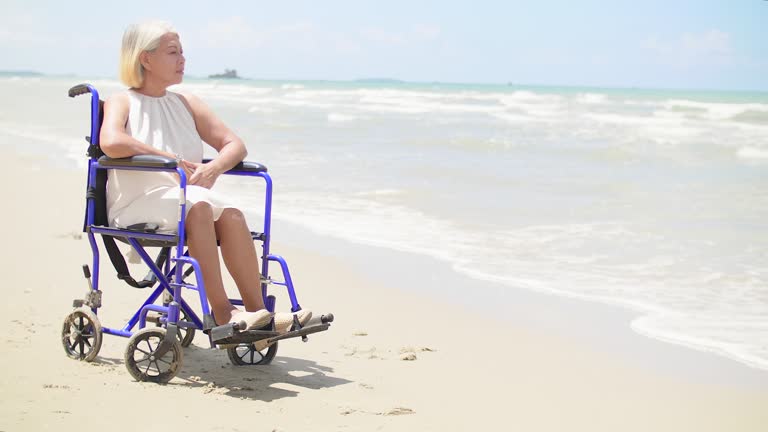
141,361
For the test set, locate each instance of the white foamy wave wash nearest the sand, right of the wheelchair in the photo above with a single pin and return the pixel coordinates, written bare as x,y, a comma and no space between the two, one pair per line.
649,277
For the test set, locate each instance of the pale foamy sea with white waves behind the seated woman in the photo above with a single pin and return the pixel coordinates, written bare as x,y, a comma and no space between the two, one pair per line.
651,199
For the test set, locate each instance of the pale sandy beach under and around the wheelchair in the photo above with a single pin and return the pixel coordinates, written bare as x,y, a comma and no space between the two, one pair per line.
558,366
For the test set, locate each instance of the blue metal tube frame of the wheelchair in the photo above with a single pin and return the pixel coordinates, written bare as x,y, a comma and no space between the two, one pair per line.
170,278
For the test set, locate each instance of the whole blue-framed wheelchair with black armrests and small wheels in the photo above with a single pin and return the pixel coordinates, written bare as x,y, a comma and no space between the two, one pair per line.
154,352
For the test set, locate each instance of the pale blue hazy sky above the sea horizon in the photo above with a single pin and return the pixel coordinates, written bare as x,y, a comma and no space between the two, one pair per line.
679,44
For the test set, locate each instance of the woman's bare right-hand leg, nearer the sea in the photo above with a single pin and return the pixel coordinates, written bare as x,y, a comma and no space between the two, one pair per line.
240,257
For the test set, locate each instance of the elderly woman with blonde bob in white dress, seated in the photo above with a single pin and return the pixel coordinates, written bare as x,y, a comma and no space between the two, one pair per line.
149,119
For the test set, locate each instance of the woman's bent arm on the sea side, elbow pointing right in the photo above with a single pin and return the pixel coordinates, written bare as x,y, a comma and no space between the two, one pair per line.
216,134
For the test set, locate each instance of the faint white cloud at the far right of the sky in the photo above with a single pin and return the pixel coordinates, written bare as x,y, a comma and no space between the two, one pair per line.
712,47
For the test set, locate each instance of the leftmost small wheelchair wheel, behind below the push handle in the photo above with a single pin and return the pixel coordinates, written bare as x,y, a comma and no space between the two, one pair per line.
81,335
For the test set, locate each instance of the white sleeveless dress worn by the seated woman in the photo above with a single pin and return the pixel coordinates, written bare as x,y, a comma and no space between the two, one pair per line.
153,197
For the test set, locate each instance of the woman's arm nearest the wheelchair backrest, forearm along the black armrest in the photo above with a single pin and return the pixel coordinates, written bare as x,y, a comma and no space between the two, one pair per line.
113,139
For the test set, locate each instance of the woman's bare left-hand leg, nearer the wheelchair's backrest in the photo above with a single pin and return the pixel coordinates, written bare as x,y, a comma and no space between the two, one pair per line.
201,239
